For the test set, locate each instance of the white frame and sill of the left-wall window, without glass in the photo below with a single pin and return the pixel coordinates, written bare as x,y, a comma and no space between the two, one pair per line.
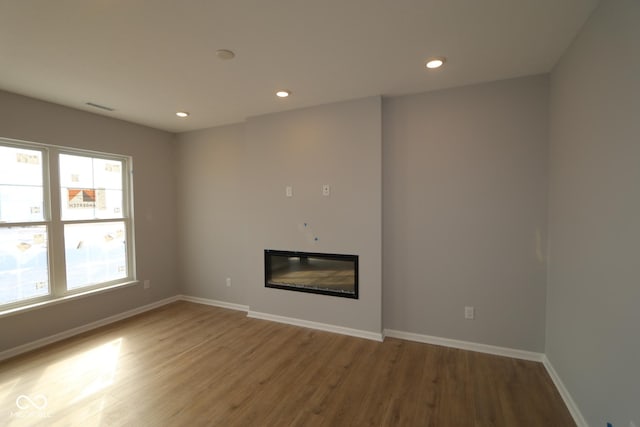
58,291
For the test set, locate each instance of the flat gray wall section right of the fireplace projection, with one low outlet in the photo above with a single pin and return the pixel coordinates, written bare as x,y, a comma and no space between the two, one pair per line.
464,212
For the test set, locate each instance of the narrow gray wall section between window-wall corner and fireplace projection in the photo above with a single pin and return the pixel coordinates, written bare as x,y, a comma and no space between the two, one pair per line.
212,199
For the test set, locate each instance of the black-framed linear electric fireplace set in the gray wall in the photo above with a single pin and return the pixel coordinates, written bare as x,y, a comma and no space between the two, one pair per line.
327,274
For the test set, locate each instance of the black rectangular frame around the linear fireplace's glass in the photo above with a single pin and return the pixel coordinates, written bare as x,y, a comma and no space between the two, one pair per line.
322,291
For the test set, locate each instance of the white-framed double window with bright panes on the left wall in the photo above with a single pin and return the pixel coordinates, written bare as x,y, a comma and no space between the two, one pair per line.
66,222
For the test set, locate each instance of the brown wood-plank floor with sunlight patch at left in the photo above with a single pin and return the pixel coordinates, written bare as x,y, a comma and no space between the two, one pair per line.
194,365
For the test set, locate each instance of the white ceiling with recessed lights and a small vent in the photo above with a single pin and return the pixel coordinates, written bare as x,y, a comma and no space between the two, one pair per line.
148,59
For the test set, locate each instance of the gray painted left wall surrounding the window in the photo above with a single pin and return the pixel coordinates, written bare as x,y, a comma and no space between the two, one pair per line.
154,199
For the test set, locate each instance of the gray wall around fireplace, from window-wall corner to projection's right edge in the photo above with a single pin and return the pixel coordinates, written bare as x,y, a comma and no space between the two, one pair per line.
233,206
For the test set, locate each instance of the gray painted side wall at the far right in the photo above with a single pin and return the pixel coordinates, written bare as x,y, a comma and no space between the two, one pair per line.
593,321
